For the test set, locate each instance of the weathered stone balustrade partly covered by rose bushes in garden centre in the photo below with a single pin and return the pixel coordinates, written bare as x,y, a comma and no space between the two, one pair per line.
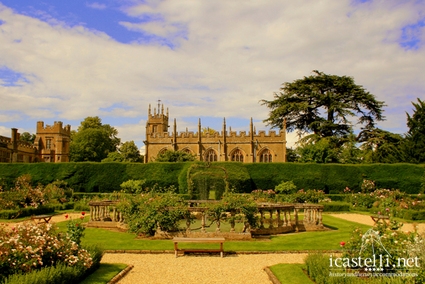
273,218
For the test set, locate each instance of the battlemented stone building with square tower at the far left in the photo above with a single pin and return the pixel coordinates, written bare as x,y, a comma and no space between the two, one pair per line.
51,145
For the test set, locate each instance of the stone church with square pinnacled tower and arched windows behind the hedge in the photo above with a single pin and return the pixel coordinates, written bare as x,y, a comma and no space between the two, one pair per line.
246,147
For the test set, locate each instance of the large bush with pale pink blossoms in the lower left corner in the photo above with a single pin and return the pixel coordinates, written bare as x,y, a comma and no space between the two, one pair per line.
30,246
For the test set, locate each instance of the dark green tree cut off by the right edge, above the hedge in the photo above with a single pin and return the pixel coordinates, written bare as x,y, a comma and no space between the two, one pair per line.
415,138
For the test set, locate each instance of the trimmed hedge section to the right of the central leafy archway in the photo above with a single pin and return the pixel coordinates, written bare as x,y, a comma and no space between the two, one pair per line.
333,178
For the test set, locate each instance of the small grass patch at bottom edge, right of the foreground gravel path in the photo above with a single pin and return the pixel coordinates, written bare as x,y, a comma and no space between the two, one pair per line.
290,273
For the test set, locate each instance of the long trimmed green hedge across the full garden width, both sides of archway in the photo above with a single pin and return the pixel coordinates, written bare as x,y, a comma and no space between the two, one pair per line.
332,178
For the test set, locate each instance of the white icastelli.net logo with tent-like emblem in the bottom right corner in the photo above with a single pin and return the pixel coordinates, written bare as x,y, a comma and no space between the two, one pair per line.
374,260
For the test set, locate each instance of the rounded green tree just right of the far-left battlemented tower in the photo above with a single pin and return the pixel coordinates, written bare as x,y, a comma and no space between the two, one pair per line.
93,141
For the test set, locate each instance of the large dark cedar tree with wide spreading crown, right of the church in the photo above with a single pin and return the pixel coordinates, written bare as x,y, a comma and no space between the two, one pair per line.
322,104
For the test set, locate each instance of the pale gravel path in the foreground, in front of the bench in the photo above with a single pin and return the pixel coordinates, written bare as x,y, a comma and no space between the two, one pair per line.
166,268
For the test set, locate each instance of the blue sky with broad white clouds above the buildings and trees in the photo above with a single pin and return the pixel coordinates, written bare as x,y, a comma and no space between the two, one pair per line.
70,59
